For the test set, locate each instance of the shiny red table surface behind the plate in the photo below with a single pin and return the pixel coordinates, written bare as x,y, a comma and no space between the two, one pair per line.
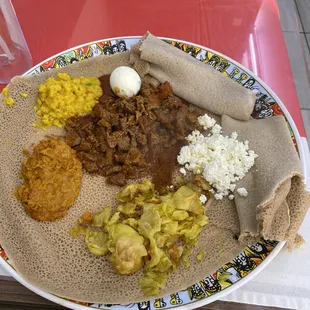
247,31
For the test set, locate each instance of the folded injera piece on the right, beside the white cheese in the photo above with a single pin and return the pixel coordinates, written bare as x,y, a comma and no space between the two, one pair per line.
277,197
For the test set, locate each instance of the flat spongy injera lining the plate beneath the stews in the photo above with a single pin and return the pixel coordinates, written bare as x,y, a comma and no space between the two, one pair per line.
43,252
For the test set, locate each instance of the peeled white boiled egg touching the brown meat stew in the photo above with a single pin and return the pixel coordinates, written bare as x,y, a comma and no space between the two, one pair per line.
125,82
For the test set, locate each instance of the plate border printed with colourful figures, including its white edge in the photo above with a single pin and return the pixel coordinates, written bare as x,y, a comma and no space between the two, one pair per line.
249,262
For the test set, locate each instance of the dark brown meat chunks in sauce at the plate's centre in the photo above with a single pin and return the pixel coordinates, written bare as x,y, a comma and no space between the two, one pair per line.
126,139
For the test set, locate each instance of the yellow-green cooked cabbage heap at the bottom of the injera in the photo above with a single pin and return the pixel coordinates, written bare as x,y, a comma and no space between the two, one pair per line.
148,231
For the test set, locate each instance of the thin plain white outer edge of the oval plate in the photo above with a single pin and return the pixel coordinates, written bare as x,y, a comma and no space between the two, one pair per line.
232,287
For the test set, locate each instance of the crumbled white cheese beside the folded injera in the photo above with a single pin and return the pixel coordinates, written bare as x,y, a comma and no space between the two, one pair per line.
221,160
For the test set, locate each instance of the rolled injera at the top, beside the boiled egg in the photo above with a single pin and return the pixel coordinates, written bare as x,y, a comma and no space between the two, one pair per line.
191,79
